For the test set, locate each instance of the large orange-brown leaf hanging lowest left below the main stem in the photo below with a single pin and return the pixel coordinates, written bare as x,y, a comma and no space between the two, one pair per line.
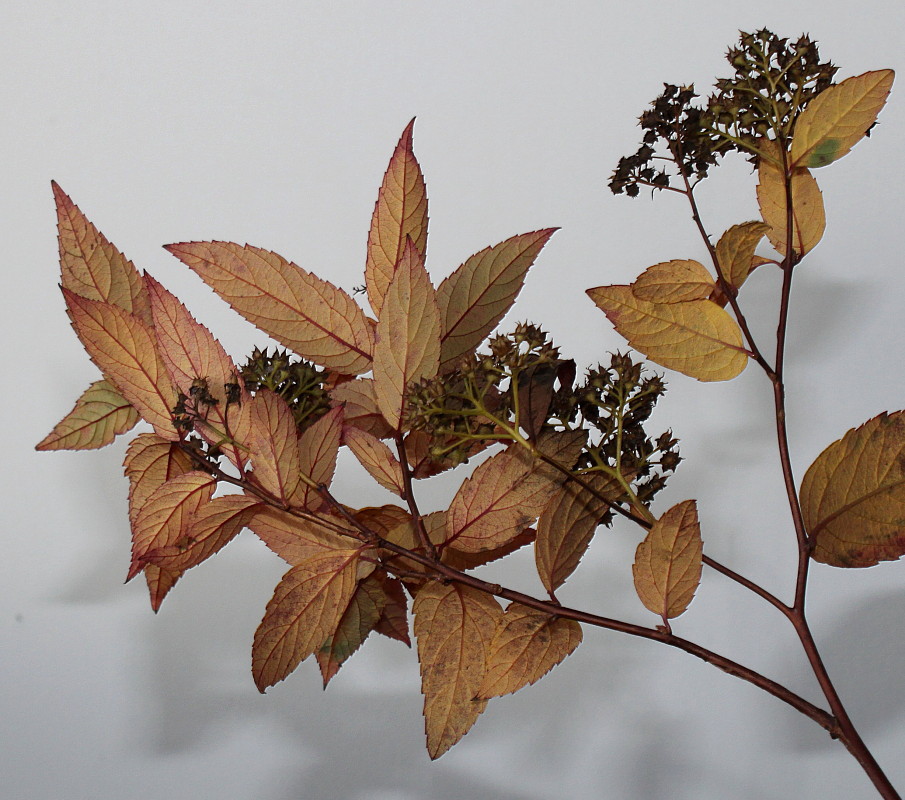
306,609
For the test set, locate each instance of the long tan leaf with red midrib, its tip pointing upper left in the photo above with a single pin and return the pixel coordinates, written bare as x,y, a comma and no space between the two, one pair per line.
310,316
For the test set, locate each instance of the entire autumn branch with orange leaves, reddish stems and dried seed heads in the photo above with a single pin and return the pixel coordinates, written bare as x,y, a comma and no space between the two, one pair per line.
418,381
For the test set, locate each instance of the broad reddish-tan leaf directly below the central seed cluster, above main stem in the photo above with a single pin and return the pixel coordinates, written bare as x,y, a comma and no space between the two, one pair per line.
503,496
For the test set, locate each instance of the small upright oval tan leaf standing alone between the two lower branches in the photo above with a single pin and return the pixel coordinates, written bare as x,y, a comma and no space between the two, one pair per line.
667,568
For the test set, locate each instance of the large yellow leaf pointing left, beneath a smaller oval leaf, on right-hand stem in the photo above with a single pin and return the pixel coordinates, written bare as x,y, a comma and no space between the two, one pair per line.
697,338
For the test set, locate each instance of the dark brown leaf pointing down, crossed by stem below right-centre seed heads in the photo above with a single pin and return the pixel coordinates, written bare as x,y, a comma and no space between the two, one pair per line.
566,526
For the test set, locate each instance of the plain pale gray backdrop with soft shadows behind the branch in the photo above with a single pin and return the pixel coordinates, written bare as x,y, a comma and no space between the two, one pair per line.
272,123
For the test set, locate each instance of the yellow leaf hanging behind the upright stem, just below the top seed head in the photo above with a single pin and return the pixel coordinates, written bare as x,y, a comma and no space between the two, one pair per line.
808,215
